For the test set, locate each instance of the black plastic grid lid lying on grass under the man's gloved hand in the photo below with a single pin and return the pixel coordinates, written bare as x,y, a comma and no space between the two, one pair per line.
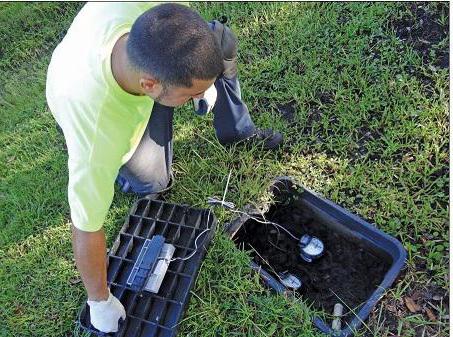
150,314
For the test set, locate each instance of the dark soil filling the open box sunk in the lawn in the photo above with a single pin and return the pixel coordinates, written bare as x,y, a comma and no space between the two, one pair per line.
348,268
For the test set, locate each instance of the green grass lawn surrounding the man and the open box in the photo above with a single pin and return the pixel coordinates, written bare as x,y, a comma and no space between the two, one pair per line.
361,94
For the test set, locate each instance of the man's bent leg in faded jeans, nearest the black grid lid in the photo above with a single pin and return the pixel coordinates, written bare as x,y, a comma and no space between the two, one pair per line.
149,169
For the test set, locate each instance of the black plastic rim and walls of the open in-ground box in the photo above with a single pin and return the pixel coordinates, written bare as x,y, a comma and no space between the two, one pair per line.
336,220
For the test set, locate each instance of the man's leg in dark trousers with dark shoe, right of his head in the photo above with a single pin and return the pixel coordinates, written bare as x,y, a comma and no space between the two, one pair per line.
232,119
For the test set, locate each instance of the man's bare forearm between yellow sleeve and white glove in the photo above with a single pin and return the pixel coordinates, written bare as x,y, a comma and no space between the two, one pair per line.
90,257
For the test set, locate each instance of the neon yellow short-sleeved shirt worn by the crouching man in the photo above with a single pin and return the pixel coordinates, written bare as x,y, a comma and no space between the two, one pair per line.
102,123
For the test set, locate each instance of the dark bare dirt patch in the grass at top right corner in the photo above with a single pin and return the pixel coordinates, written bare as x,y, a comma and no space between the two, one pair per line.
424,26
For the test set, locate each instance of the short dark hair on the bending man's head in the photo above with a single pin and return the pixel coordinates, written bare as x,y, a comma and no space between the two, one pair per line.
174,44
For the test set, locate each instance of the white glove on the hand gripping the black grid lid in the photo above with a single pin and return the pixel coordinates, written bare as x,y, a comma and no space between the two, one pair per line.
105,314
